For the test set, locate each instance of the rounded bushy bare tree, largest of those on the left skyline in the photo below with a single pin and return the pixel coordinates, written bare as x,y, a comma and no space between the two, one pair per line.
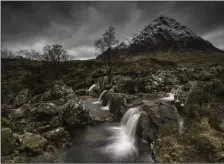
56,54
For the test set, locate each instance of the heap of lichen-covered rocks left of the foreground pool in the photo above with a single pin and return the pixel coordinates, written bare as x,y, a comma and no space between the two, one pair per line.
30,128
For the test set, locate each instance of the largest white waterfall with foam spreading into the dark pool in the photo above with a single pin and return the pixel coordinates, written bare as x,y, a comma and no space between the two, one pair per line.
122,146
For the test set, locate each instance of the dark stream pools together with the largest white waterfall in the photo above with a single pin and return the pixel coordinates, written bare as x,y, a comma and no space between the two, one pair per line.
108,142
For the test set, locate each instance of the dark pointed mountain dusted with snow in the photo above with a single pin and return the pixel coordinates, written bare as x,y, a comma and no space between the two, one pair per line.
163,34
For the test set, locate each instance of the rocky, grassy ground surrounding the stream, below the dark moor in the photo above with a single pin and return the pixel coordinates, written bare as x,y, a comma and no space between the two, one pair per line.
37,128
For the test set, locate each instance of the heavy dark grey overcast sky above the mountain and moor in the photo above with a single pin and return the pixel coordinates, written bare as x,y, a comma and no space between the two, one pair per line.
76,25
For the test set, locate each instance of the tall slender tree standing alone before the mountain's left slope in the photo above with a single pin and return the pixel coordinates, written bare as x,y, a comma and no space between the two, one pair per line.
105,45
